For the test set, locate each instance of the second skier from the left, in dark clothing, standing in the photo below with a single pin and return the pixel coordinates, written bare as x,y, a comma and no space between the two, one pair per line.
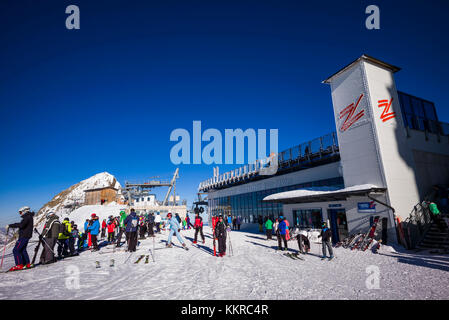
50,236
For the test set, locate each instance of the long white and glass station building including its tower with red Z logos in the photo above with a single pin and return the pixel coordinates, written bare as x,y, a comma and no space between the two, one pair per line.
388,151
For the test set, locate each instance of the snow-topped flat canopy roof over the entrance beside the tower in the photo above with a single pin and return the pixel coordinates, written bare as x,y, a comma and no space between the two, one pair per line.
321,192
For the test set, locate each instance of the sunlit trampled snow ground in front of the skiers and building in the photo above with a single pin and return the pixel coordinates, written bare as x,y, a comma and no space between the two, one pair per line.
255,271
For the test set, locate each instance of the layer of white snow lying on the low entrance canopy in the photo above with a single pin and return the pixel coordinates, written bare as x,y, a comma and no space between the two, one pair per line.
317,191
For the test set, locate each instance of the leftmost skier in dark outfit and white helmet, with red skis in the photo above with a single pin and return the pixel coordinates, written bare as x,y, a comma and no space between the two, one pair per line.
25,226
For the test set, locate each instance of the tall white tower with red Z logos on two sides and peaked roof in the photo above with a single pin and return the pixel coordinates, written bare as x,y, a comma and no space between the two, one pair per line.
371,132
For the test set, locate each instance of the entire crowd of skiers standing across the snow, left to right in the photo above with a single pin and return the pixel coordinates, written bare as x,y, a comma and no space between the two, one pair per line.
66,233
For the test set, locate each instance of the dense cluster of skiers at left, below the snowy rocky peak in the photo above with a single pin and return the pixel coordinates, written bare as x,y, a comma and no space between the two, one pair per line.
66,235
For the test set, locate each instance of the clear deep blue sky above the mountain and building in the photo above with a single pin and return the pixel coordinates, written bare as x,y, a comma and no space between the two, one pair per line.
106,97
